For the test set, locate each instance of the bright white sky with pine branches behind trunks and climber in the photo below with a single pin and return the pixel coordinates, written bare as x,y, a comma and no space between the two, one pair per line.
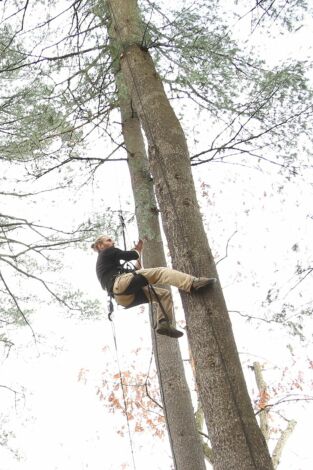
58,358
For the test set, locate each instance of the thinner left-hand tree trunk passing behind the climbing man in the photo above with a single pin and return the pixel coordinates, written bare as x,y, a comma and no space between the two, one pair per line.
177,405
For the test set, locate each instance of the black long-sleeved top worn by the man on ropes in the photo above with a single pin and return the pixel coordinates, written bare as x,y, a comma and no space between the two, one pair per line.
109,265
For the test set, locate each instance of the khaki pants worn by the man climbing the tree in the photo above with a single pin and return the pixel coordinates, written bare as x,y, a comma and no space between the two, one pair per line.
154,276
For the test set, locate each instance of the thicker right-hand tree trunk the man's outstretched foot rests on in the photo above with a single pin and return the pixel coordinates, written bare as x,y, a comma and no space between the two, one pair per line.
236,439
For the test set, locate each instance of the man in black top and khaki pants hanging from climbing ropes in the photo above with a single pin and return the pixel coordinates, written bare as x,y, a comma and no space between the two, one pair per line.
131,286
